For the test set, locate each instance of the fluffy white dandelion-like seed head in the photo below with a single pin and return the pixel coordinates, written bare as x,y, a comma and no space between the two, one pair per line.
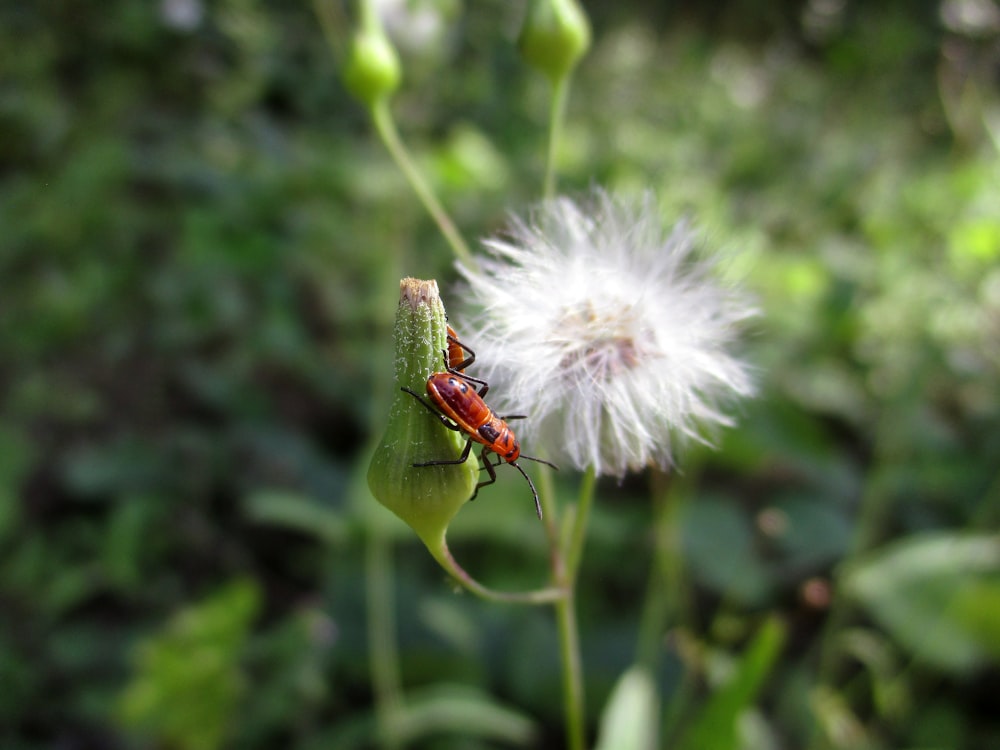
610,333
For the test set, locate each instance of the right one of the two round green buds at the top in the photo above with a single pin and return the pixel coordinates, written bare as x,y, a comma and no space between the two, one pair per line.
554,37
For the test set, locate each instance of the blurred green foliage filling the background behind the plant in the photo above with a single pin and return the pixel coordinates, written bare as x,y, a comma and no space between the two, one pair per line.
200,244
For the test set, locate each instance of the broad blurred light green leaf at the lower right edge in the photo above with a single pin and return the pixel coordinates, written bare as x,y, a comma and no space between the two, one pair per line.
938,595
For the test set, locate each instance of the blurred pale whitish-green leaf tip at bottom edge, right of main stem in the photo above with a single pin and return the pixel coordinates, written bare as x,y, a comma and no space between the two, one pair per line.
630,718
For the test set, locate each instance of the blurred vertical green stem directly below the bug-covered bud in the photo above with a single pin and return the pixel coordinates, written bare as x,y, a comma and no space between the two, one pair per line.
383,648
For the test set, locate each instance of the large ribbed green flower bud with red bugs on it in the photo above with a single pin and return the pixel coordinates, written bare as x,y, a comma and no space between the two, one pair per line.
426,497
